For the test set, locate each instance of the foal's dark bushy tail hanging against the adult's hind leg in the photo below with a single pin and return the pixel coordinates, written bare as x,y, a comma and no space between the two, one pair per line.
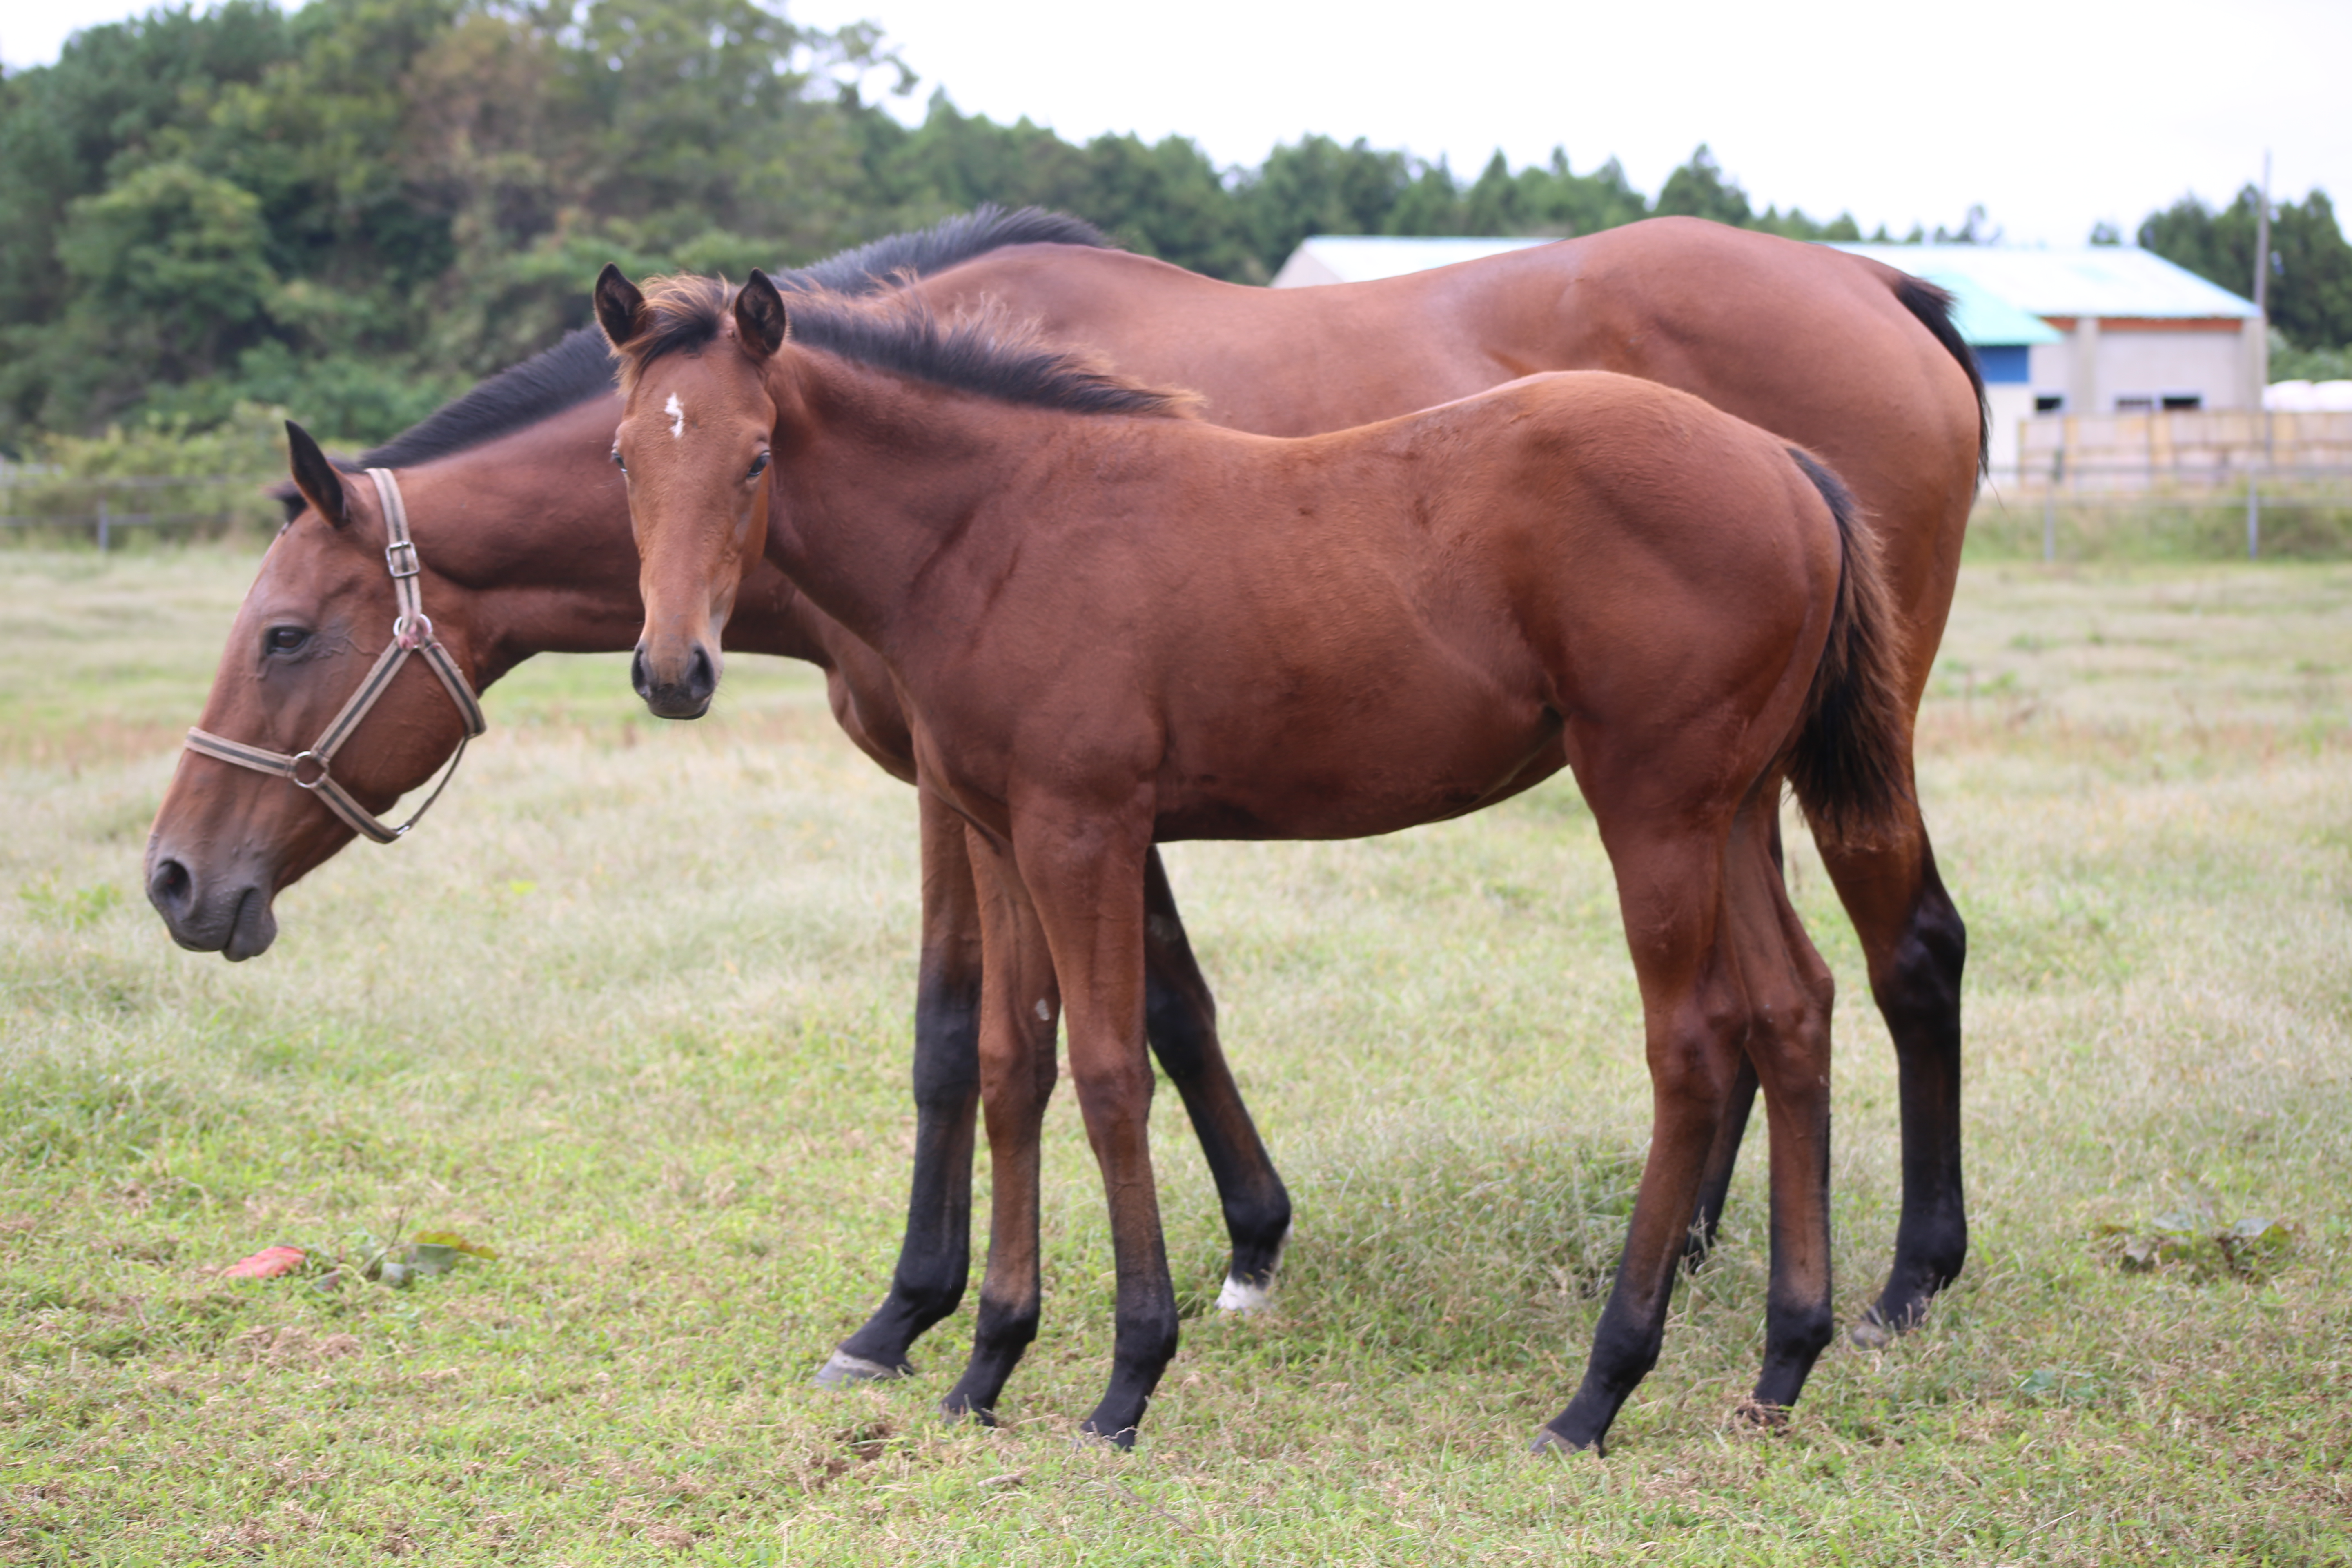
1855,742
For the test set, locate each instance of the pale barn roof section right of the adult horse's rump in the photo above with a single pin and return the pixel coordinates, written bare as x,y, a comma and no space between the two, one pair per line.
2069,281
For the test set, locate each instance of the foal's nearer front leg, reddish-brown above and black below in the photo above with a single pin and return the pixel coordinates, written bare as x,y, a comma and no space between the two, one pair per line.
1085,878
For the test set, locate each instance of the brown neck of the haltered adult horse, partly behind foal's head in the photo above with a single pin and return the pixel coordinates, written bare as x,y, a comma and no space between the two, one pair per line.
535,532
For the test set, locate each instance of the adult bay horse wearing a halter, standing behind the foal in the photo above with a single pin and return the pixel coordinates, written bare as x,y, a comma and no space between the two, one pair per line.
512,492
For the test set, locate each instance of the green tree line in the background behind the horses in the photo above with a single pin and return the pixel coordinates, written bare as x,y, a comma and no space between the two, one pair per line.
361,206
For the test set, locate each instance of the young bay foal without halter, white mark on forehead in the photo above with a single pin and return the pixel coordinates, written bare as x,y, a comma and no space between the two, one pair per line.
1118,626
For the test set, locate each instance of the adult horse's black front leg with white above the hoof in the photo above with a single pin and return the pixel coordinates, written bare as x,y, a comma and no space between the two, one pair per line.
1180,1019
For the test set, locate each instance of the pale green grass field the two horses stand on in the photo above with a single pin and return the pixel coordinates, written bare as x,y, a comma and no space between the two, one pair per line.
634,1005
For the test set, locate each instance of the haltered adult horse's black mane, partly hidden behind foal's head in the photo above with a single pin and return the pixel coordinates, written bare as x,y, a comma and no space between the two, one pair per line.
582,368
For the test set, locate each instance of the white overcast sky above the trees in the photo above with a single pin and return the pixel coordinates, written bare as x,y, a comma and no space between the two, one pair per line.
2052,114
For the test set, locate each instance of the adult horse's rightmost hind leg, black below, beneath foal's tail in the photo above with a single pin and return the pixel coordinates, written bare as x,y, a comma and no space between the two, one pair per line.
1916,946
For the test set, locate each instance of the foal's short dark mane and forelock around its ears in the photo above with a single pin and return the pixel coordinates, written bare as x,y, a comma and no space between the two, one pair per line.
973,351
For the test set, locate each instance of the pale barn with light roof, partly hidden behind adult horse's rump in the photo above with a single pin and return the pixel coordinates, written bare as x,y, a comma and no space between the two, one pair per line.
2059,330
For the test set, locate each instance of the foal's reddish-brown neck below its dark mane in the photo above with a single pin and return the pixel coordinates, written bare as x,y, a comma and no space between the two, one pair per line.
883,483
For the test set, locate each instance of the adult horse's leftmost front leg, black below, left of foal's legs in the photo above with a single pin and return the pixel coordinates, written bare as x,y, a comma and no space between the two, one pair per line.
935,1259
